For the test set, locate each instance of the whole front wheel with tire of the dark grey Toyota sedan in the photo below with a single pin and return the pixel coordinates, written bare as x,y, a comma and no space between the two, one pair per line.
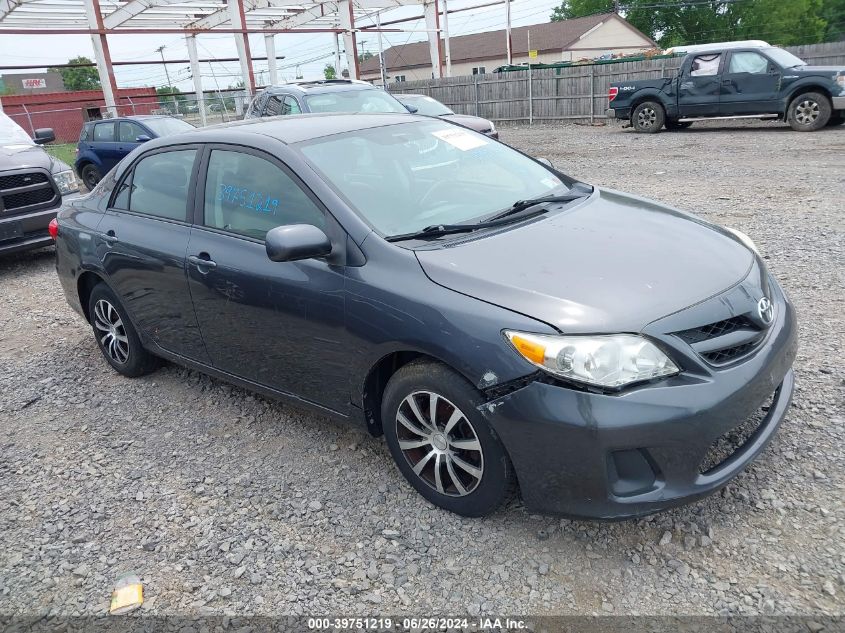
441,443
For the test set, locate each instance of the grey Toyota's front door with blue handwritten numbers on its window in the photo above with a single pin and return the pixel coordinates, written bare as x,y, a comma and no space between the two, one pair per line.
279,324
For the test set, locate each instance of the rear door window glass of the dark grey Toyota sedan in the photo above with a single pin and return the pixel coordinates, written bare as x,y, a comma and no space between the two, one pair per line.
159,184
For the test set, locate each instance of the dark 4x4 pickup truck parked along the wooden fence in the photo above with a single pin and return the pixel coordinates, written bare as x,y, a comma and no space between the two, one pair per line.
752,80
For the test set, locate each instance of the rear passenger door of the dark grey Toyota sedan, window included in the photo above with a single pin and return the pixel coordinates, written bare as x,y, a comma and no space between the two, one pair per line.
144,236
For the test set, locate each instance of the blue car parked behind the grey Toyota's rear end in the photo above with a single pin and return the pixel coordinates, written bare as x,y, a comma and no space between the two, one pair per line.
102,144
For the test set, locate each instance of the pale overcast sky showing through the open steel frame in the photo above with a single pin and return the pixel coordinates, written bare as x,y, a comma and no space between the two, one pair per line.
305,54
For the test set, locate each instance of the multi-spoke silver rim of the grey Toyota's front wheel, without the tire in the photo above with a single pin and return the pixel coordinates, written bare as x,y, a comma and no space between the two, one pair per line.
439,443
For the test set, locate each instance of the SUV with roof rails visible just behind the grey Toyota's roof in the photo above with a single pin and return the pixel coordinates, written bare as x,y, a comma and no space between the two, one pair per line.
328,95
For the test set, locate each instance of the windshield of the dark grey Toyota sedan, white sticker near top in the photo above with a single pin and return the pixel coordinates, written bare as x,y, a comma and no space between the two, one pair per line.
402,178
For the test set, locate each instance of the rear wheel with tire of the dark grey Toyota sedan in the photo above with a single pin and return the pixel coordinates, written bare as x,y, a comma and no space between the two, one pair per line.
116,336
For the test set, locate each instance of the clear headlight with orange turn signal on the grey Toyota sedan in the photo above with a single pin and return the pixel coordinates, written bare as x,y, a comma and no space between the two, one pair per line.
607,361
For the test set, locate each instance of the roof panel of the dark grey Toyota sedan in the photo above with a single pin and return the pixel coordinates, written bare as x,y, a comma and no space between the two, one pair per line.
292,128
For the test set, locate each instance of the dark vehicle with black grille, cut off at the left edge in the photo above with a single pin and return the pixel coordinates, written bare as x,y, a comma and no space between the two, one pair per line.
32,184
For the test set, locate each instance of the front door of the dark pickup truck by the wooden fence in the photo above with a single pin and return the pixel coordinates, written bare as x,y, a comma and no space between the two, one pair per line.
750,84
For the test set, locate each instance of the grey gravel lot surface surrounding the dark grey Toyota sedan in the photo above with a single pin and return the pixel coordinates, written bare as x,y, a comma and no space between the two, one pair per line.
226,503
